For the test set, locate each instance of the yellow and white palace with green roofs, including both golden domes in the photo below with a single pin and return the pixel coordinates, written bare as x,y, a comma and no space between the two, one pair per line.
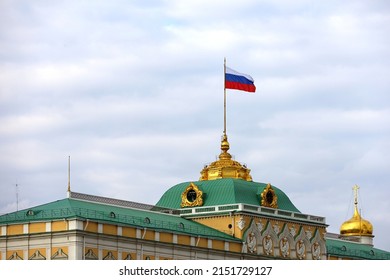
222,215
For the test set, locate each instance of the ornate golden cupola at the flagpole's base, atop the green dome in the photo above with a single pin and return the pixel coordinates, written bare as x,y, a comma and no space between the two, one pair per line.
225,166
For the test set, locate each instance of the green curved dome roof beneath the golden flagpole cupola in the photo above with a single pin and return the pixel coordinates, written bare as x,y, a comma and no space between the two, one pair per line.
225,191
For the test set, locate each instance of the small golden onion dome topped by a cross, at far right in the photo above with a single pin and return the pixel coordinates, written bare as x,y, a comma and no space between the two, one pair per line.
356,226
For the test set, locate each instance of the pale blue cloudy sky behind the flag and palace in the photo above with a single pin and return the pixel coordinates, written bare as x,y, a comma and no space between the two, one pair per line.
132,92
